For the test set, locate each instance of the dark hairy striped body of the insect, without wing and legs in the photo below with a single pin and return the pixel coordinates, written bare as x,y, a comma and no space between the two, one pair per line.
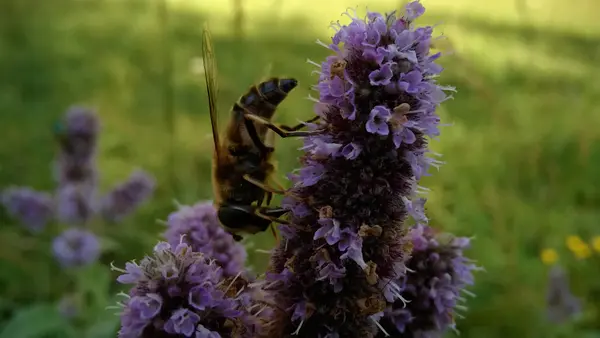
240,154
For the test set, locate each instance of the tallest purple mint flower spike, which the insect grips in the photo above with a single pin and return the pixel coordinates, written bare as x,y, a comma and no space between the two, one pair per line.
345,252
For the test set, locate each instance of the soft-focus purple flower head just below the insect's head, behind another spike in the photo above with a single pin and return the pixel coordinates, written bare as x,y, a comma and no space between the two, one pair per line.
200,228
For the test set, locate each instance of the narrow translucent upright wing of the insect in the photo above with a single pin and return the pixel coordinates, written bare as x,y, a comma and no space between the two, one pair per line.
210,75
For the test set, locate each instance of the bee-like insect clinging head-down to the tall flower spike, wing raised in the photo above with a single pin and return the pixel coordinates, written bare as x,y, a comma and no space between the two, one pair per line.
241,160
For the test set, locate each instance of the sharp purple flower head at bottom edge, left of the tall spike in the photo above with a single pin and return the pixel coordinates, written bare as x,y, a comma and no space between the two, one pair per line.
197,301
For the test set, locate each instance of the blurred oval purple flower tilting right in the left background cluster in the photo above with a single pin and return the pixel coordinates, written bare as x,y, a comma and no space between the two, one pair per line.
126,197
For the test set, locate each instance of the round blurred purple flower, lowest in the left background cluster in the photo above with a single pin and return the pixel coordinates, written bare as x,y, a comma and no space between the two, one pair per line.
76,247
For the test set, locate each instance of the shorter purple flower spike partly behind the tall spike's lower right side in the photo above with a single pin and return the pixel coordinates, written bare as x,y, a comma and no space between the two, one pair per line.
438,273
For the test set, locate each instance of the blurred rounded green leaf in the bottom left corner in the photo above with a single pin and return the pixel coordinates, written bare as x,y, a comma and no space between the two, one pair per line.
35,321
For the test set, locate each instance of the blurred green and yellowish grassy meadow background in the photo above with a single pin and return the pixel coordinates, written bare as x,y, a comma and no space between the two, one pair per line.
523,153
